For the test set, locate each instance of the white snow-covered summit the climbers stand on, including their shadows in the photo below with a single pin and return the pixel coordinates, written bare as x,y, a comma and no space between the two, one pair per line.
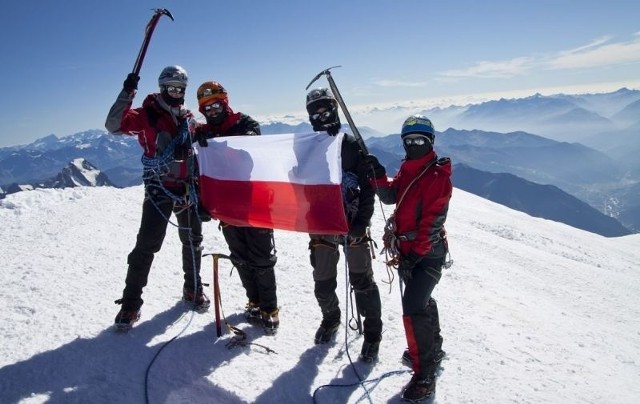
532,311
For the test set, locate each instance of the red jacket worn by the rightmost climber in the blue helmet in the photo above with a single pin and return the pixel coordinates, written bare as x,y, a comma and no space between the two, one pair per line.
421,212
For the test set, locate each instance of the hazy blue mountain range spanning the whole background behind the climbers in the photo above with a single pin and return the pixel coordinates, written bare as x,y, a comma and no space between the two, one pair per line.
528,138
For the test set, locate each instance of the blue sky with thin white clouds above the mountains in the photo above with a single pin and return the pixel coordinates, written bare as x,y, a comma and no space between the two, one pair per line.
66,60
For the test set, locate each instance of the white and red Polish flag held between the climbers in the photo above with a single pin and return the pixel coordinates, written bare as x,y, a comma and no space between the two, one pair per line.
289,181
